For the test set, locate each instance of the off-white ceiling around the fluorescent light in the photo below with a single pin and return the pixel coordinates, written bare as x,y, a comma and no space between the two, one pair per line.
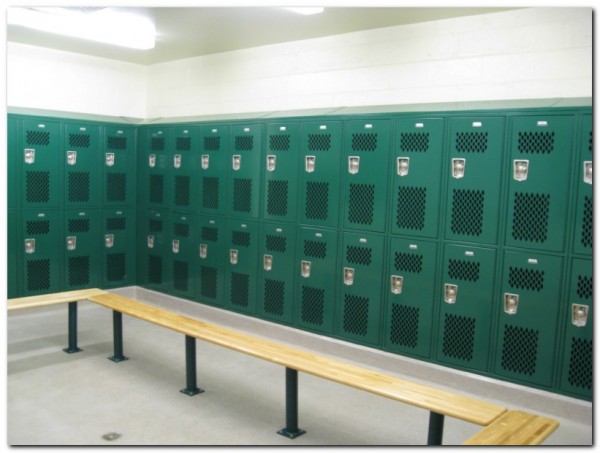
186,32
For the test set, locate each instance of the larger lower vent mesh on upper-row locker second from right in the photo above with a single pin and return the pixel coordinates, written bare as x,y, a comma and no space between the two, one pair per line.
531,217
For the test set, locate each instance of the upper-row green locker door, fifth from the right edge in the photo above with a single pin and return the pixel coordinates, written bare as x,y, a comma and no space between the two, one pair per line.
367,164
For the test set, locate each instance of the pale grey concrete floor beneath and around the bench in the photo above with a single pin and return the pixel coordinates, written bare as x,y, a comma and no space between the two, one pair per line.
54,398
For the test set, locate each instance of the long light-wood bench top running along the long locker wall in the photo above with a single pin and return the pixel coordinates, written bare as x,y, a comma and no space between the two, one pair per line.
442,402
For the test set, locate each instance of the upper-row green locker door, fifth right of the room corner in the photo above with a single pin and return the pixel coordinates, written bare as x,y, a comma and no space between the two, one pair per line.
281,172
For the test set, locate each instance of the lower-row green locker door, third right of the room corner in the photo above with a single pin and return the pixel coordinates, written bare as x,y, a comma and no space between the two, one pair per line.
212,251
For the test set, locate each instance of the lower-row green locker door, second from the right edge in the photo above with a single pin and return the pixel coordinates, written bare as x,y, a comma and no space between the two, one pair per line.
526,342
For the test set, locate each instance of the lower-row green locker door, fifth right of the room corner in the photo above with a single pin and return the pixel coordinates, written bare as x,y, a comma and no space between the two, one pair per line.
276,281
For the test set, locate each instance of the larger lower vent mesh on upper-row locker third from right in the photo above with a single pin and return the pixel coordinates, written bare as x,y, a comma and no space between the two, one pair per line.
467,212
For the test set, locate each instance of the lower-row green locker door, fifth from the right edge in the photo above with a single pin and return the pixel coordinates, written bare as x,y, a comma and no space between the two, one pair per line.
360,281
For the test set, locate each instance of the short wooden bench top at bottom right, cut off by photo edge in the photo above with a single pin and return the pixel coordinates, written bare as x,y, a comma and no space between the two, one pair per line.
515,428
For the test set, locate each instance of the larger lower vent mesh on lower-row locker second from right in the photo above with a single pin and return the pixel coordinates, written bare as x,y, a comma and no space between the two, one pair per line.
519,351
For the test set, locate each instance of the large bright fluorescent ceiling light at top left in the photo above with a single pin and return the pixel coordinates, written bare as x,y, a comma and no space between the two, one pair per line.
105,25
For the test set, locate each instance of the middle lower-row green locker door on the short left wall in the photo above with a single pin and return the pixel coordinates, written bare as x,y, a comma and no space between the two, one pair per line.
81,249
